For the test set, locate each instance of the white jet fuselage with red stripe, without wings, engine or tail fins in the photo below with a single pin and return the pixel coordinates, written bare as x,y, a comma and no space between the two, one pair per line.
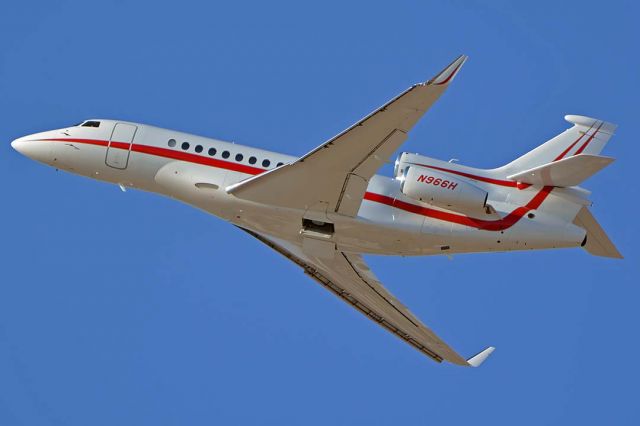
197,170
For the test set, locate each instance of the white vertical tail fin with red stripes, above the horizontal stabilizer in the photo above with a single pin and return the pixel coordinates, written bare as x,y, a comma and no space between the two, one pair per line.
587,136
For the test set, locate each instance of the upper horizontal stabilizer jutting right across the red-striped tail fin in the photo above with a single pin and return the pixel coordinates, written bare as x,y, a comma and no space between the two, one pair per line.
570,171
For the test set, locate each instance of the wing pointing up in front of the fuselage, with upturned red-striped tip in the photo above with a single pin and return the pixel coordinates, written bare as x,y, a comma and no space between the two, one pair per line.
334,176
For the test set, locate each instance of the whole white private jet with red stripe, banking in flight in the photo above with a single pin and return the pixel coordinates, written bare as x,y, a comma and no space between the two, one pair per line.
325,210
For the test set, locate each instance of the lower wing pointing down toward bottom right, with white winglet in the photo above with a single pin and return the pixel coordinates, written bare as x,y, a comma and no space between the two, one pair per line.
347,276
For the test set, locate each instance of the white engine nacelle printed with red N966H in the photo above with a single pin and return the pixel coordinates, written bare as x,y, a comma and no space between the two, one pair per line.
443,190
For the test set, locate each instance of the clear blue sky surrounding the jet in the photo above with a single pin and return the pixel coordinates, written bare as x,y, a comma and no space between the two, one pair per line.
129,308
